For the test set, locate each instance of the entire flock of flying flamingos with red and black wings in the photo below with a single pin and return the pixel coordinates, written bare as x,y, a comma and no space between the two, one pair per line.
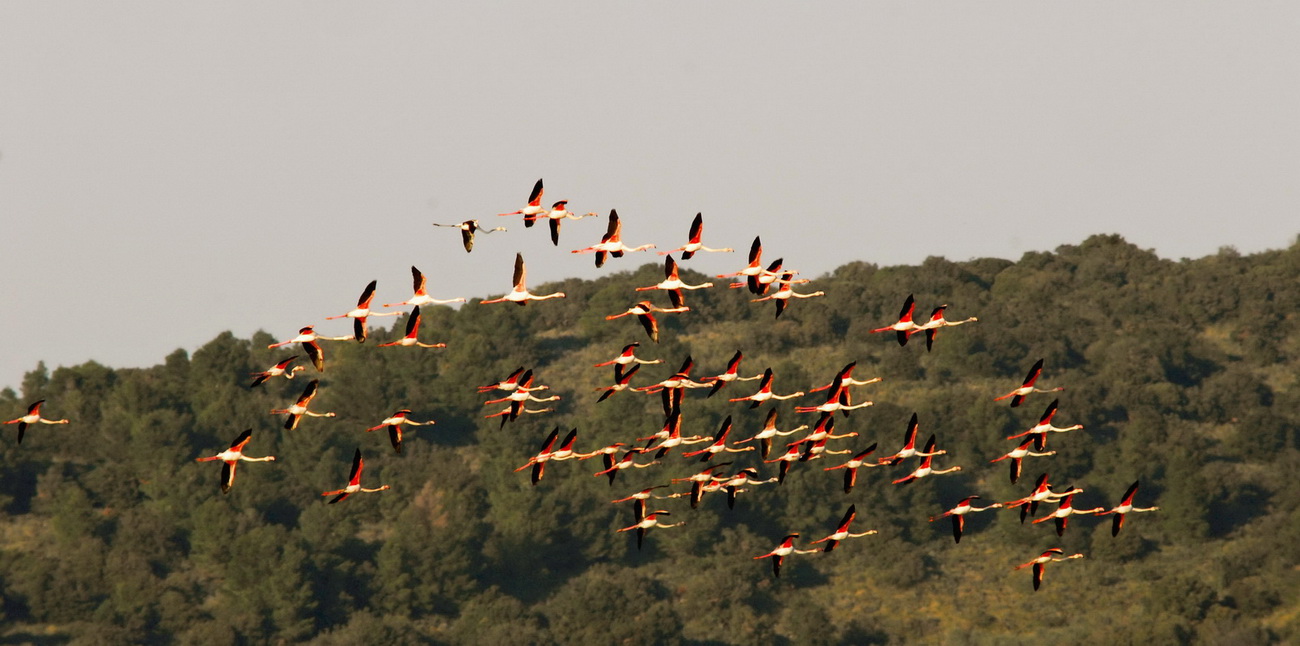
772,283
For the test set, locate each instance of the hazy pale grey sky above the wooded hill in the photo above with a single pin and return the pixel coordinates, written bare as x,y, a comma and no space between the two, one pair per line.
170,171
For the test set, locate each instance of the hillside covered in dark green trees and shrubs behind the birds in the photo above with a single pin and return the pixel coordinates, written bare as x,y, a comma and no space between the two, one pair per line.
1184,375
